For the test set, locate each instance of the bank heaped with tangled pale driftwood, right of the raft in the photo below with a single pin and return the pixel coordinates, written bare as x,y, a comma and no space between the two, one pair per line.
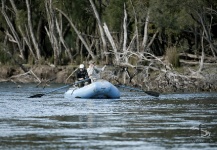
160,75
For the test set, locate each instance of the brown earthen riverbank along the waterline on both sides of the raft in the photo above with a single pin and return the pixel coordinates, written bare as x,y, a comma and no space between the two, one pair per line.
162,82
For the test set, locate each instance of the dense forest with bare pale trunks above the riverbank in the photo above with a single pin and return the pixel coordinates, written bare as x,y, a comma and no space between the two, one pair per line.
141,35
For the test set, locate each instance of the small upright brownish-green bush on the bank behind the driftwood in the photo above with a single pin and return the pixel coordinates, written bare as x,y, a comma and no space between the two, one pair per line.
172,56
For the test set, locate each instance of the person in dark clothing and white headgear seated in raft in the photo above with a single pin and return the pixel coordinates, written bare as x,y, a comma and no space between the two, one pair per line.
81,75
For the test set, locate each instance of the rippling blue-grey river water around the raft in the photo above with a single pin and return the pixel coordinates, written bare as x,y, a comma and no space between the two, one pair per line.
135,121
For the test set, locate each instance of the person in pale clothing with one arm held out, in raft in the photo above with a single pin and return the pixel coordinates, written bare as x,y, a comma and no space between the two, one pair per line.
93,71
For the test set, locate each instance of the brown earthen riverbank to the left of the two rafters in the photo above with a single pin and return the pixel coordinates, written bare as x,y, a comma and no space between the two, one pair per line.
36,73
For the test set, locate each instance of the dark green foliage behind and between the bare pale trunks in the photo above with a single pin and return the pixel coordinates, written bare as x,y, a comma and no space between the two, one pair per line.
176,19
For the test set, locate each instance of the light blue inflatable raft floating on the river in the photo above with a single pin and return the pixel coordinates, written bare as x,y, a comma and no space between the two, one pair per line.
101,89
